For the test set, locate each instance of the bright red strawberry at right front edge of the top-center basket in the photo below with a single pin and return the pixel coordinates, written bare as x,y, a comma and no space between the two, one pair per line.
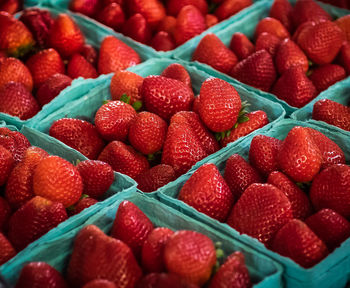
189,23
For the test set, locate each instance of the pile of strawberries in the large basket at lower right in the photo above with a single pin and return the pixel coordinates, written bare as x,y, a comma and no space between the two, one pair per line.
293,196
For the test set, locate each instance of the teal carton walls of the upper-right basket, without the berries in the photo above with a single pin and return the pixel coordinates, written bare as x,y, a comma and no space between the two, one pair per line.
246,25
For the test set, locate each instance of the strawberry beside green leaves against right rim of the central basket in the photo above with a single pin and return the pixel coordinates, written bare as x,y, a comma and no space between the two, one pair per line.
256,120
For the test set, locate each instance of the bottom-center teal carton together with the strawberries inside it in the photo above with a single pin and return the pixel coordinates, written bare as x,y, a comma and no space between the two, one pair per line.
160,247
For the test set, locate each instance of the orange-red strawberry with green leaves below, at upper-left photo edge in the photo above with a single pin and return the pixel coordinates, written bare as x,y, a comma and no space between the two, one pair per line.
15,38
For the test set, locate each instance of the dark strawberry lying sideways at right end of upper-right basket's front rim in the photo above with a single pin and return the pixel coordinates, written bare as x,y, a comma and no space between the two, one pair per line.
327,75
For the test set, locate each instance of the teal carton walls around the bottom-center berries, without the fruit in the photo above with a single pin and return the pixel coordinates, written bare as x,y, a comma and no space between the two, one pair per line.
264,272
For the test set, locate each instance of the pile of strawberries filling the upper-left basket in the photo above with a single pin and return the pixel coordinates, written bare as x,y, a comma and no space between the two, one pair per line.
52,52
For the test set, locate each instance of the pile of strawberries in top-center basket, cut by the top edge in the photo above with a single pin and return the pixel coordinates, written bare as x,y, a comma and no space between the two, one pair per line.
163,26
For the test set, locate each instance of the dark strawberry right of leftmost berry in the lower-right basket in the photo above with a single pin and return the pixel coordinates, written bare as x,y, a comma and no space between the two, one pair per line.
239,175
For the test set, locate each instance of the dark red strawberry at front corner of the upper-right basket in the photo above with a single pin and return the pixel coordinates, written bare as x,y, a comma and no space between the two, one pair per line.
294,87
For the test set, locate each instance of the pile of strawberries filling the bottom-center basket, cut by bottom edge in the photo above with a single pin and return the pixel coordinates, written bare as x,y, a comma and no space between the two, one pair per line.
136,254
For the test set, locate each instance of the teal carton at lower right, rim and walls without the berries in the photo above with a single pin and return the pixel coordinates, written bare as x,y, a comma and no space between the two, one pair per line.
333,271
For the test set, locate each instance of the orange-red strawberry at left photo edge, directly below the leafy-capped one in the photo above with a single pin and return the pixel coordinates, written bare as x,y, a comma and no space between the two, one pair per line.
12,69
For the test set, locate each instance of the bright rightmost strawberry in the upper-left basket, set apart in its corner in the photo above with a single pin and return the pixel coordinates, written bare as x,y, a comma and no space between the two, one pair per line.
115,55
